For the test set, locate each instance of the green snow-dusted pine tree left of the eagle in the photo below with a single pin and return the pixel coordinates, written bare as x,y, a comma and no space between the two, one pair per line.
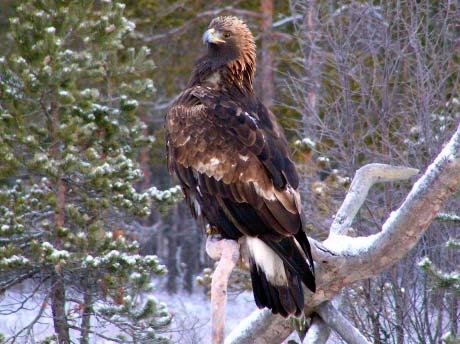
70,134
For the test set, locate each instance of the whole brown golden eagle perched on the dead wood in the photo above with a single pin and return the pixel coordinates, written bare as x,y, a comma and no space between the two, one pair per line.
233,163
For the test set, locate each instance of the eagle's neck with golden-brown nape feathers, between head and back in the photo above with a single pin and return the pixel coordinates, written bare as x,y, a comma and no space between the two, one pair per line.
234,77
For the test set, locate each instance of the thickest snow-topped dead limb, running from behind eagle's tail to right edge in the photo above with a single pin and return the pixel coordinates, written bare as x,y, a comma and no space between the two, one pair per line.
342,260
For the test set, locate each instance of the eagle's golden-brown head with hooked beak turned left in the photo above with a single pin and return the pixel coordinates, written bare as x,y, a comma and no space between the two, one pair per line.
229,40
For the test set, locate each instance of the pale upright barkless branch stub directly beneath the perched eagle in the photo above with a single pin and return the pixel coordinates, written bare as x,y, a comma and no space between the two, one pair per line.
227,252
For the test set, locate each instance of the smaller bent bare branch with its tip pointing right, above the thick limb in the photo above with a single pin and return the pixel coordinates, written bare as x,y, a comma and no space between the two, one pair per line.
364,179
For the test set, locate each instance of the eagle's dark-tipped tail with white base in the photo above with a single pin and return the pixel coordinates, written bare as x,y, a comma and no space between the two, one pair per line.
278,269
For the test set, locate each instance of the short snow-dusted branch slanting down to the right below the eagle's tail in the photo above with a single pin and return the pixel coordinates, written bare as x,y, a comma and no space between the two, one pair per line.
335,320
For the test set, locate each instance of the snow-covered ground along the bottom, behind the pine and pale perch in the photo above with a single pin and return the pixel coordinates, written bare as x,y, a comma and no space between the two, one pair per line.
191,324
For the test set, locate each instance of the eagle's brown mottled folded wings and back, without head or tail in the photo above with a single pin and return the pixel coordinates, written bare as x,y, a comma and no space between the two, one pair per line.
239,160
